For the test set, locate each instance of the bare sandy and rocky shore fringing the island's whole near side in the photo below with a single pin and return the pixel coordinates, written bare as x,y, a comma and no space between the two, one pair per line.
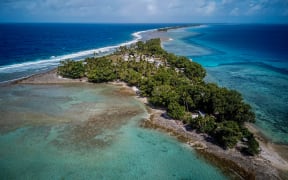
268,165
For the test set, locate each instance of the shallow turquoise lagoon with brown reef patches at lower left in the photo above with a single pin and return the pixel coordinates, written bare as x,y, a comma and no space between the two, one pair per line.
87,132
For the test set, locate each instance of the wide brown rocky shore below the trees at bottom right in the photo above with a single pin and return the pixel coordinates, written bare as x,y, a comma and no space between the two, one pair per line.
230,161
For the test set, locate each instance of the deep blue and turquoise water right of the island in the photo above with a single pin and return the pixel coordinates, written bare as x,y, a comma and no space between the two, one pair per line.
251,58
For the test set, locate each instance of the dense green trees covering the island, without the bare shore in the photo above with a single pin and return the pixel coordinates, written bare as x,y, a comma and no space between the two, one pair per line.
176,84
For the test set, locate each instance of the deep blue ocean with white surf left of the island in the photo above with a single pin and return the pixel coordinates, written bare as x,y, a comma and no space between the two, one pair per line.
26,49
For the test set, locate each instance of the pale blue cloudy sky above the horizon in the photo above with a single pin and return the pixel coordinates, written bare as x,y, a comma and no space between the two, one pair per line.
145,11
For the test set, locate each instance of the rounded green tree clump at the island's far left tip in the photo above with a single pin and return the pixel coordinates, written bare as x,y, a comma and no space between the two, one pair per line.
71,69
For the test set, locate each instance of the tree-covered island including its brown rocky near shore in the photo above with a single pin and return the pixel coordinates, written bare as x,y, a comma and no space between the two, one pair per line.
210,118
